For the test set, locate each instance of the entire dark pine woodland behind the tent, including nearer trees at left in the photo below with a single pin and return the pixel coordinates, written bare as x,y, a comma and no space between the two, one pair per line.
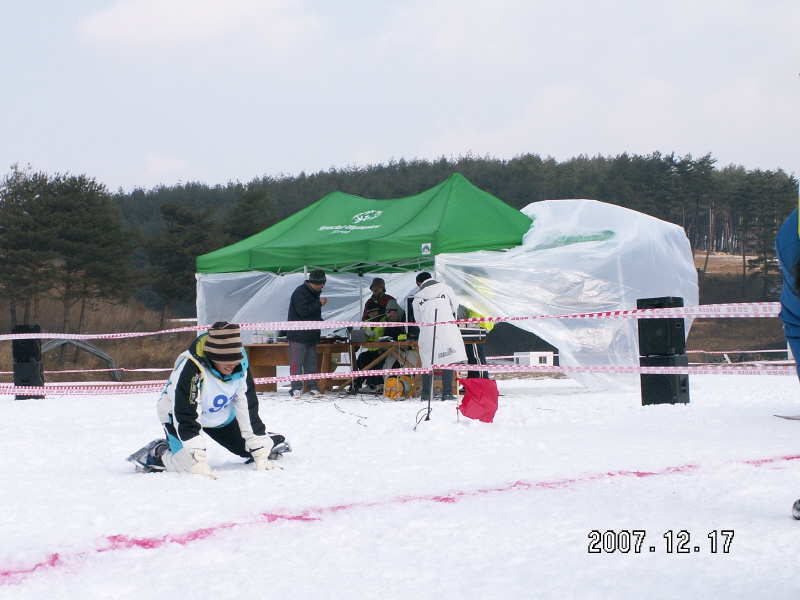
67,237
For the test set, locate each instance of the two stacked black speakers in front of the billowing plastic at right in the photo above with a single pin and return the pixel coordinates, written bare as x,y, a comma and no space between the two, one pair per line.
662,343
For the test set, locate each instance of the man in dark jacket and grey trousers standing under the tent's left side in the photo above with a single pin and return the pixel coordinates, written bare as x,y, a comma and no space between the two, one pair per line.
306,305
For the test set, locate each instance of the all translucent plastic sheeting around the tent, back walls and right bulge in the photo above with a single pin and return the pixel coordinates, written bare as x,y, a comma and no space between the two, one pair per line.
579,256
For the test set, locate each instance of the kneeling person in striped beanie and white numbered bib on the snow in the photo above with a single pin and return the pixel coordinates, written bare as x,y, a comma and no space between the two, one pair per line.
210,393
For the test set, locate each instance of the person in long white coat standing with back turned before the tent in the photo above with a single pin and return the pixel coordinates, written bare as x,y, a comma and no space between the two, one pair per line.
436,302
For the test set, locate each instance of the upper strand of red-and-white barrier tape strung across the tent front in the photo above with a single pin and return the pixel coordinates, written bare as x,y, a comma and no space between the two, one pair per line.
706,311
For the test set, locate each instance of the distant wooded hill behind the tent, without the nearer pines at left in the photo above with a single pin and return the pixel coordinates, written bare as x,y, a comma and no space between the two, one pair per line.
720,209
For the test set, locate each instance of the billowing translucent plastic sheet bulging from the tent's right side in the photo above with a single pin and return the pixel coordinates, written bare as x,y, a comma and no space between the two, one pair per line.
580,256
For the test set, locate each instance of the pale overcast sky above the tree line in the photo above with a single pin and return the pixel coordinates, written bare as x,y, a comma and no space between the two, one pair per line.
148,92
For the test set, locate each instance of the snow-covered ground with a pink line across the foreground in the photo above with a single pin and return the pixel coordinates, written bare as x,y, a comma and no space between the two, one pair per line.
367,507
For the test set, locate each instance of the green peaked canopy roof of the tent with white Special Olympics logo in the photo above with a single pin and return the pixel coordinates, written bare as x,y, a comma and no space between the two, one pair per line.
349,234
